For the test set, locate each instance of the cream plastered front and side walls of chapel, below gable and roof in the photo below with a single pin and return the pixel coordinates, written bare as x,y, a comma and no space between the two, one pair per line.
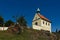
41,25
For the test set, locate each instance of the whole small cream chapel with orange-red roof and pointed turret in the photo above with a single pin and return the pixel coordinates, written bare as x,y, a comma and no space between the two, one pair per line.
40,22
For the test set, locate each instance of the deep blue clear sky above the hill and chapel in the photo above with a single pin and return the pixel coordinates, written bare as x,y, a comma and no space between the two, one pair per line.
49,8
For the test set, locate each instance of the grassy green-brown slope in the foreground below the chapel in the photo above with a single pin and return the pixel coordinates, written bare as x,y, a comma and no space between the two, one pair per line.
27,34
